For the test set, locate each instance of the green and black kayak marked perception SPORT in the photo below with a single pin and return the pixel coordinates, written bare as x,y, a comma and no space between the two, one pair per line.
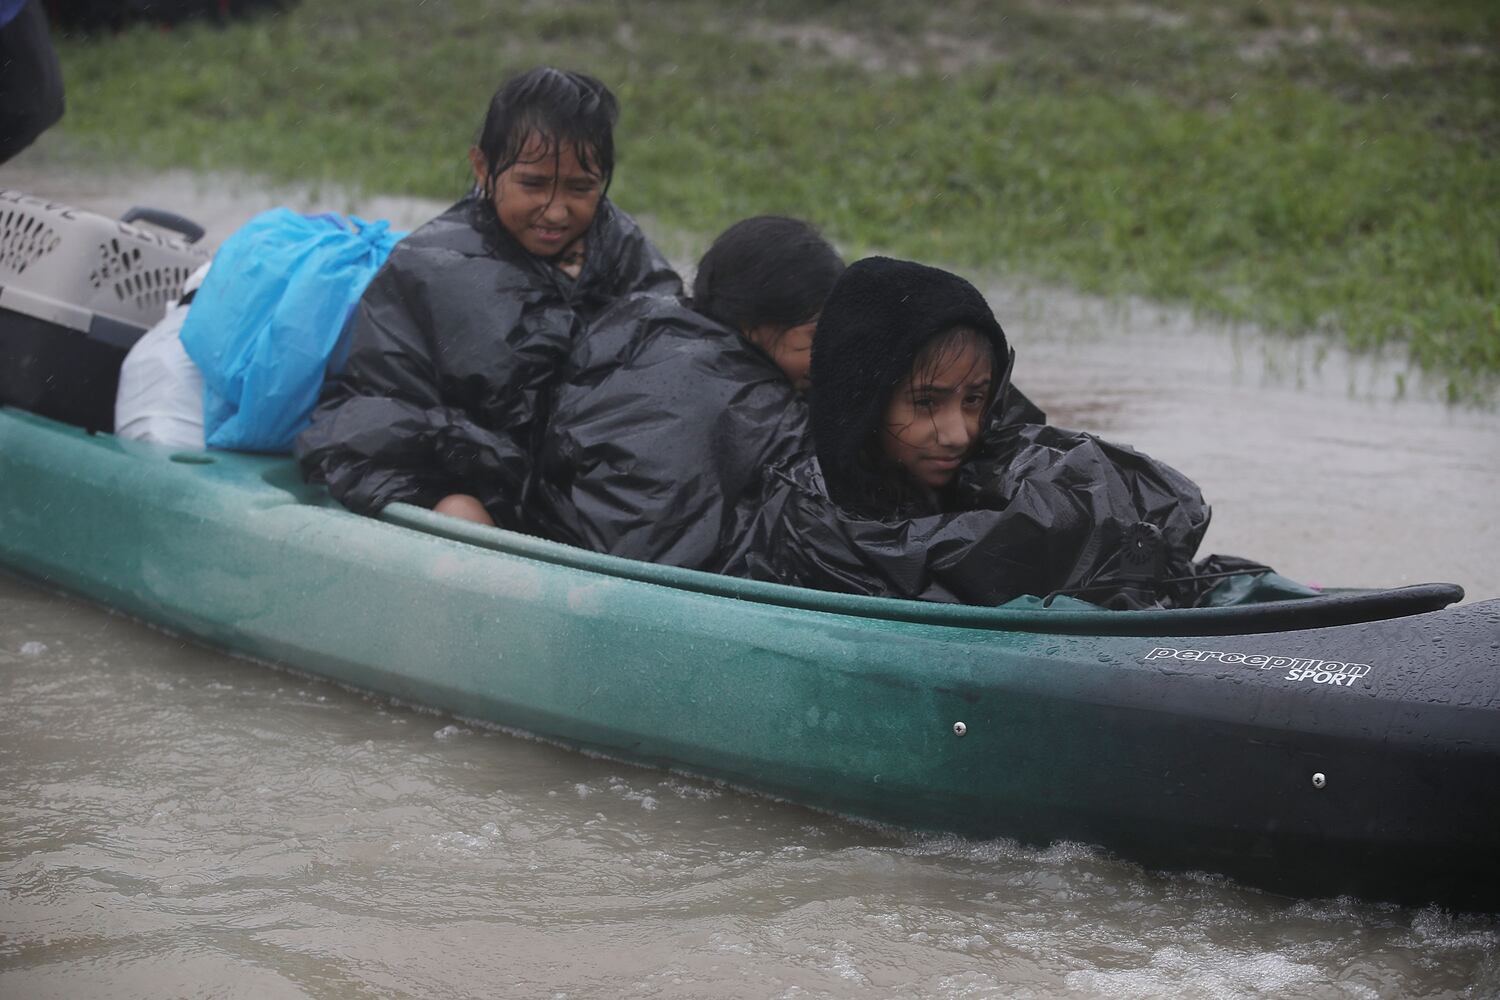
1342,744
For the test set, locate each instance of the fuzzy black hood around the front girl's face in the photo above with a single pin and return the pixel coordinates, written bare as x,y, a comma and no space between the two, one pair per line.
883,322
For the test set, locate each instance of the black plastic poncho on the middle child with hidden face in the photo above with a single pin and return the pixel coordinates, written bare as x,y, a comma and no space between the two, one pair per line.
665,422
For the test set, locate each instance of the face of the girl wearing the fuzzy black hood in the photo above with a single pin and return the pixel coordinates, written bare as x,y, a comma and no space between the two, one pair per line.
934,418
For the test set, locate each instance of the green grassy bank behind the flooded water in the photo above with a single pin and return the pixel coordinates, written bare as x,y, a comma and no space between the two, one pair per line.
1303,166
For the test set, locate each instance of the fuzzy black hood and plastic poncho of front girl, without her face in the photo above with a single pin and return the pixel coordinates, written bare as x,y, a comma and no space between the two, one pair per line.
1039,510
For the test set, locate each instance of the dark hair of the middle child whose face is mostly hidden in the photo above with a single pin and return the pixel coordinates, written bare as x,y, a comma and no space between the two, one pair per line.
766,272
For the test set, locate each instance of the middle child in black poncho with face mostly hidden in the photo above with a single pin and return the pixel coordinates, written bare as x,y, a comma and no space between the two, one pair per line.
671,412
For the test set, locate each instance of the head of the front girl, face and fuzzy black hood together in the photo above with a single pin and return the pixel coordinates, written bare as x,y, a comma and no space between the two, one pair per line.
907,367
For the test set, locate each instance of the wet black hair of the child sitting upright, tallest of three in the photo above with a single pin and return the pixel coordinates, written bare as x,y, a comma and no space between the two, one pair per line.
559,106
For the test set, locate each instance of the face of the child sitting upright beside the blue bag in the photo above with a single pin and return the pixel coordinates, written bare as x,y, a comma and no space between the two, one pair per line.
547,200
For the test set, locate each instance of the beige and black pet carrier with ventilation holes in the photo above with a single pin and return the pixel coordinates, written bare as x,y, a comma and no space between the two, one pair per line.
77,290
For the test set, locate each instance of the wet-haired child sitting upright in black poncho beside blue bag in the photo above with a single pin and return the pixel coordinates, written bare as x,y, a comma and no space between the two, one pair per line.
461,335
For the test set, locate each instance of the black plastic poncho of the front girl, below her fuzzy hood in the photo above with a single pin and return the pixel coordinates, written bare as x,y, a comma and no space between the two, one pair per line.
1066,513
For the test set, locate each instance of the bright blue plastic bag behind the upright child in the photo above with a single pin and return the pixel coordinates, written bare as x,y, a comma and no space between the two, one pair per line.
266,325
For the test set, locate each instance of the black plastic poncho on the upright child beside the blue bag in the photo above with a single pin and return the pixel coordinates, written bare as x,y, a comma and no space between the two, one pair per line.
452,355
